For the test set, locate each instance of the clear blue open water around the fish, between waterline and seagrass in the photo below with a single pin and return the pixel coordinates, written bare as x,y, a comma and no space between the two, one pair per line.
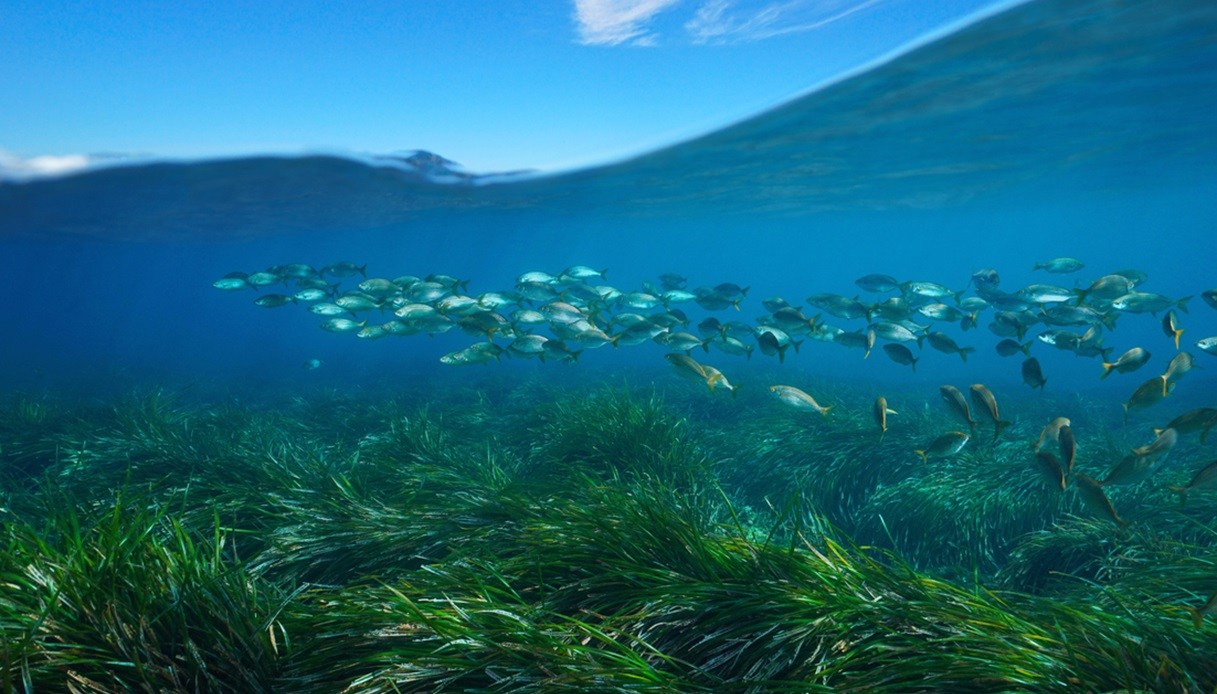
1052,130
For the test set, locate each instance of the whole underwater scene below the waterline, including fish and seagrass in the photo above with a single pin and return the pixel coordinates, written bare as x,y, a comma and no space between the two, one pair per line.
906,385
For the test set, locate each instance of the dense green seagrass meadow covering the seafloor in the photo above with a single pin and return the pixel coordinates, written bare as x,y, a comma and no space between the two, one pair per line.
607,539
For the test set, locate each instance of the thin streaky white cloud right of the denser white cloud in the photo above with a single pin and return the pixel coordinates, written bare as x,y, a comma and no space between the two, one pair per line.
727,21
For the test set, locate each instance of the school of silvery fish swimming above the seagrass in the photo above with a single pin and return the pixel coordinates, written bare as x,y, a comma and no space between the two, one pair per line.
558,317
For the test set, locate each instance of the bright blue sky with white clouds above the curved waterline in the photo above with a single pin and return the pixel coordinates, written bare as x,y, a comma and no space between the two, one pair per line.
495,86
